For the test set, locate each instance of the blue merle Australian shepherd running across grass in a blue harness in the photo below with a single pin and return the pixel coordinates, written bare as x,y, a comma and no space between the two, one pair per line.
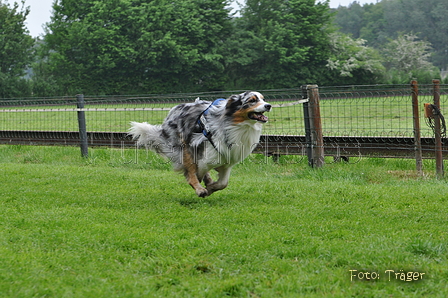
203,135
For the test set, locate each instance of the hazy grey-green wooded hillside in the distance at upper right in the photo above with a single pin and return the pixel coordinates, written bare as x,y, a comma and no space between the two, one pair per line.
377,23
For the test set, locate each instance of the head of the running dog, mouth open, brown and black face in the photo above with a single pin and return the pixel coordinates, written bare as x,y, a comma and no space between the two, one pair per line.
247,106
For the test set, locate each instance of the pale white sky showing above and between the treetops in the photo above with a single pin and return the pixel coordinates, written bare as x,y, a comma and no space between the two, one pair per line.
41,11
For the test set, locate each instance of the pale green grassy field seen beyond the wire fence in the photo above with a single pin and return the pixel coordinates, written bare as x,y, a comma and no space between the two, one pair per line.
369,116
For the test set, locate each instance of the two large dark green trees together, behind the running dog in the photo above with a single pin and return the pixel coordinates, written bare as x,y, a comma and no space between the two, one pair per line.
140,46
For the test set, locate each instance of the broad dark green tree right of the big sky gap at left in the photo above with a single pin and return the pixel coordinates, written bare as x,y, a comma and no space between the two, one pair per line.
136,46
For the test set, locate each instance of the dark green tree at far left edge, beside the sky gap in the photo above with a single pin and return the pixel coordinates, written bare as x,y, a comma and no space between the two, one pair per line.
16,51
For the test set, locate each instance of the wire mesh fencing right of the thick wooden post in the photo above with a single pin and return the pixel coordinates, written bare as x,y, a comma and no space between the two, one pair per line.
374,111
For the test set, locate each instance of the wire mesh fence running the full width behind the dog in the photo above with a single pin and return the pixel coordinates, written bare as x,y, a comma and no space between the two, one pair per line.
378,117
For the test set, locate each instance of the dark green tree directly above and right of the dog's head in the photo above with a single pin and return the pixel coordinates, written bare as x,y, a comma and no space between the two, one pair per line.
278,44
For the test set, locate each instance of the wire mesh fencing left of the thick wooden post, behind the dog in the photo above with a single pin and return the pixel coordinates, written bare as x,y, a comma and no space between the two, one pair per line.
114,113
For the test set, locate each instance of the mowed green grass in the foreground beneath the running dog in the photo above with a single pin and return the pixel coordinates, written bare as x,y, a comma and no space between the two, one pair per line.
122,224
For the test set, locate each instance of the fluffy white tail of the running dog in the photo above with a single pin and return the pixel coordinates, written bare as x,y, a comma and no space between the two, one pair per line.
146,134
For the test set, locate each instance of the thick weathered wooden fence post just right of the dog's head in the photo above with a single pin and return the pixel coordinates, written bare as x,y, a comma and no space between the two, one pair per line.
315,122
